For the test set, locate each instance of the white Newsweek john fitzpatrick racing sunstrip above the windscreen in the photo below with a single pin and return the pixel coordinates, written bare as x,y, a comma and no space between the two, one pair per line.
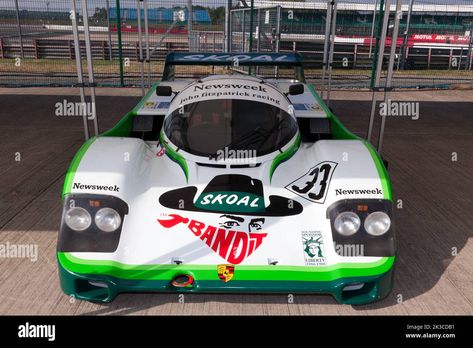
236,89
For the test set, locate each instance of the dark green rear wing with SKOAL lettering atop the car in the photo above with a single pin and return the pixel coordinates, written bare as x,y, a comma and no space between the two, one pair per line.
235,60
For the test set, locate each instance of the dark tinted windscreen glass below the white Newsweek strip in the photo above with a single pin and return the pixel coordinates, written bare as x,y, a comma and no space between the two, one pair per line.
204,128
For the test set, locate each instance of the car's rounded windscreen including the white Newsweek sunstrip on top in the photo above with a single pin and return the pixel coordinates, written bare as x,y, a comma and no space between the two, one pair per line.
218,114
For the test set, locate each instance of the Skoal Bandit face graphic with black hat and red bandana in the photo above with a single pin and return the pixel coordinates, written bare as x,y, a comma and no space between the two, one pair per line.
229,215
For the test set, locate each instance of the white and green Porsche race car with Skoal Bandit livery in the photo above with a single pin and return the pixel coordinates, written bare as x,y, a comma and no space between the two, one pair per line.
237,179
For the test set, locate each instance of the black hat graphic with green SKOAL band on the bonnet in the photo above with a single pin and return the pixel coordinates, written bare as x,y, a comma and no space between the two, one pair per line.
231,193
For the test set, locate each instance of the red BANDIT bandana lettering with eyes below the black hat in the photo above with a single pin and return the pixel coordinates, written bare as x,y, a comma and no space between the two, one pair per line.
229,240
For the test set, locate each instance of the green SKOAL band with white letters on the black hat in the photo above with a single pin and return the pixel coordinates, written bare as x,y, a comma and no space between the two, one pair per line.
230,201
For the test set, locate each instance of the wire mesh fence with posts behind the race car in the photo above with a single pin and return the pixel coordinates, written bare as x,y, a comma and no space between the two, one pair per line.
434,48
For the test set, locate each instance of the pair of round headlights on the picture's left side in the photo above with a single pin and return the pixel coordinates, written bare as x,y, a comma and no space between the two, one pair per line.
106,219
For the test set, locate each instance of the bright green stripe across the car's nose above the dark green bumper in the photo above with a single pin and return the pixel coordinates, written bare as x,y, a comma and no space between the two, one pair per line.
208,272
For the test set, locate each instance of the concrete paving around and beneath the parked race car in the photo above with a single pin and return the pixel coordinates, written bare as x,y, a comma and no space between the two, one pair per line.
434,225
